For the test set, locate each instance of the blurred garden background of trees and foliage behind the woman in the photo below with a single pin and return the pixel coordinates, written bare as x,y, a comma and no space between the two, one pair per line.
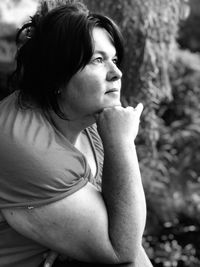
161,70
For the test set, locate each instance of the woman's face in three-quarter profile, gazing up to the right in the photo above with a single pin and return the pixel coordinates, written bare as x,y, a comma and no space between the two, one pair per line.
97,85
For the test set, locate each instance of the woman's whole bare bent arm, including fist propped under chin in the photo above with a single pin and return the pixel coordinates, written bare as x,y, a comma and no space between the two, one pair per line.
90,226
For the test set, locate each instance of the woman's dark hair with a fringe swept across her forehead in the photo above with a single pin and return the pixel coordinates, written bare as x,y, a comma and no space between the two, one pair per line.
57,44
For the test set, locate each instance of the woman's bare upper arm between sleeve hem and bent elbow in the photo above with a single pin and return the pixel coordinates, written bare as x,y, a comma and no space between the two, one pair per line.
76,226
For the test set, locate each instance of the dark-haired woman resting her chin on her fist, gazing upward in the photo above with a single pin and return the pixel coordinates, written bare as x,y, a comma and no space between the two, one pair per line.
67,86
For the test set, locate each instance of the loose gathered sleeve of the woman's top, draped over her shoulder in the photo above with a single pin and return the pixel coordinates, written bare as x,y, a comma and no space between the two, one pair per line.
37,167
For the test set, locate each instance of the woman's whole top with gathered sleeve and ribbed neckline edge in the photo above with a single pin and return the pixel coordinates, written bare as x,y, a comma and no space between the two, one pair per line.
38,165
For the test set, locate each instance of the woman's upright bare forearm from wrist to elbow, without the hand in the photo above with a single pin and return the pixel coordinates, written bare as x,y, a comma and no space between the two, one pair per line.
123,194
